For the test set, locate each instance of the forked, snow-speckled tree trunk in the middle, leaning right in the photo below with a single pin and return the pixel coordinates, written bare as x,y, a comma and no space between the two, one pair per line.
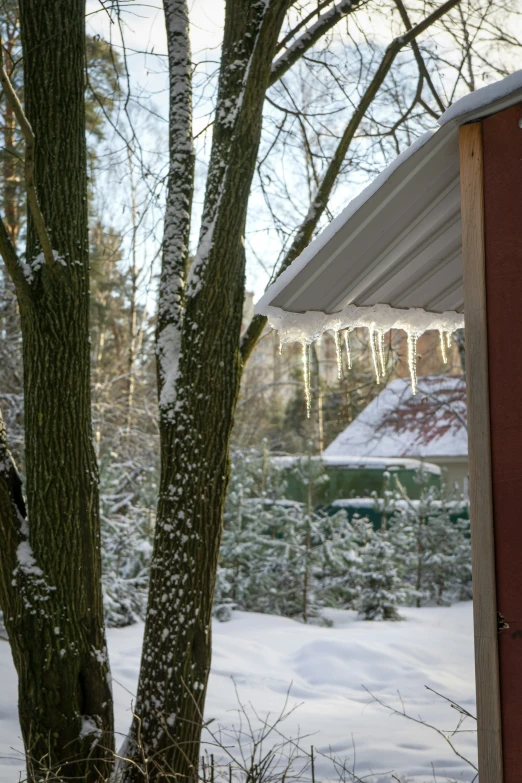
199,375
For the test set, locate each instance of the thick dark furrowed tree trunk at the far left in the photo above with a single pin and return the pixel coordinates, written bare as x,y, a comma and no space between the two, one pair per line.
53,606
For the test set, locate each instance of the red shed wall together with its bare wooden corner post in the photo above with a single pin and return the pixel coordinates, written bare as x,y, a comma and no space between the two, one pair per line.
491,201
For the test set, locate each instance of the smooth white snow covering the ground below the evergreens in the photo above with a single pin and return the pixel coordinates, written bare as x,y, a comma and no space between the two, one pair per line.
262,656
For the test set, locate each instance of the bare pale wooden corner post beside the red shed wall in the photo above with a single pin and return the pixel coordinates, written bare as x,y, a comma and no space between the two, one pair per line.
479,437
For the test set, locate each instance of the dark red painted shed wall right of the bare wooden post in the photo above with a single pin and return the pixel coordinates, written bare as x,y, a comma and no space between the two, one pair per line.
503,232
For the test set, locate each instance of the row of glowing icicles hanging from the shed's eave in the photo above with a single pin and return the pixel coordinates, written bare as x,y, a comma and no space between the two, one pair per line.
377,349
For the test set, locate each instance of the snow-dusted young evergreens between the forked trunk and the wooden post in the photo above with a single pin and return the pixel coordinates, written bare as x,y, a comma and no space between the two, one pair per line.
293,559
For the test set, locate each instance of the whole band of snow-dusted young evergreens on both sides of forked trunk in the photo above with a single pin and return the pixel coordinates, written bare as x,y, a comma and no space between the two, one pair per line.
292,559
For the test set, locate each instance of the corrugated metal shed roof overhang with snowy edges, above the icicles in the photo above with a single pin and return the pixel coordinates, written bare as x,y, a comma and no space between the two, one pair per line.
397,245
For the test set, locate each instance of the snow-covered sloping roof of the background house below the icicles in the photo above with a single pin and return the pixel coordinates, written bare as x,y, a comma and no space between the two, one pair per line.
396,423
